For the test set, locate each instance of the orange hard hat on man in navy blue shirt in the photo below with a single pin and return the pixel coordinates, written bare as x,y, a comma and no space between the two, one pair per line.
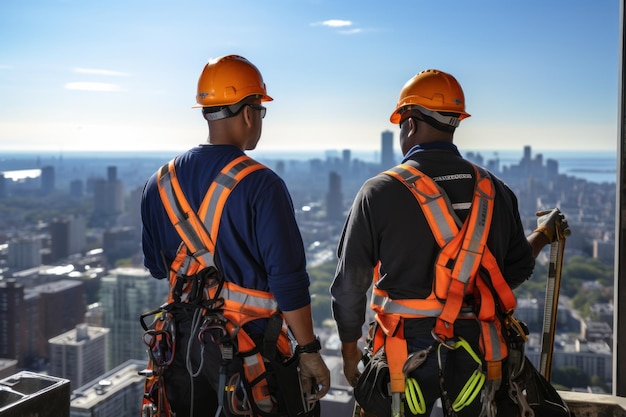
228,80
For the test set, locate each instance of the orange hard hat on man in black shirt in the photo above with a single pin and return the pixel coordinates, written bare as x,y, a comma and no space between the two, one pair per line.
432,92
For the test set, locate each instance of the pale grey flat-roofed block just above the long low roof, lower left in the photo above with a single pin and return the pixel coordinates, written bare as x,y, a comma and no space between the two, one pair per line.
78,354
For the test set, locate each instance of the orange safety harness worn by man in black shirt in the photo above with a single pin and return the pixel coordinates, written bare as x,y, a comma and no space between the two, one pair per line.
465,266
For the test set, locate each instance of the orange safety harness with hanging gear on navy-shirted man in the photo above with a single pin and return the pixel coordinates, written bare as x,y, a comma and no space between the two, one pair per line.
222,307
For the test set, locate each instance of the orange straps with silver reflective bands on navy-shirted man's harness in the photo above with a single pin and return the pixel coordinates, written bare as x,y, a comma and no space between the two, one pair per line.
199,233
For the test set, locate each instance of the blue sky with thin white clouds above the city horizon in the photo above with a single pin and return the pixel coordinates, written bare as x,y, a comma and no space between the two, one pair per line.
122,74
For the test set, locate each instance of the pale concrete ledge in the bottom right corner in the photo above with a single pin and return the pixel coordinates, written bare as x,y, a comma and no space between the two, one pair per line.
594,405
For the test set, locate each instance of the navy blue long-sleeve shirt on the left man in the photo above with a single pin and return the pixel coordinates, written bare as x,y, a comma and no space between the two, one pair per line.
259,245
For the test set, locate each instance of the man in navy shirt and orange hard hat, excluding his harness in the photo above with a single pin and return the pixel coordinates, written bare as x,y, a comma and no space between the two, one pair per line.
259,246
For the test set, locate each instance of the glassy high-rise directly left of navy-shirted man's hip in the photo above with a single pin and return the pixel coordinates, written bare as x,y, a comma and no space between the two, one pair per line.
126,293
